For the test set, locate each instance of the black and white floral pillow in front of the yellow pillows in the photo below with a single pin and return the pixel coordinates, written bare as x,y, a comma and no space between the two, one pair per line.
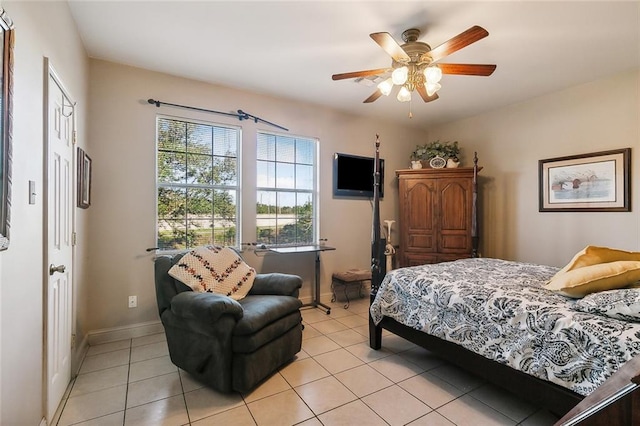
621,304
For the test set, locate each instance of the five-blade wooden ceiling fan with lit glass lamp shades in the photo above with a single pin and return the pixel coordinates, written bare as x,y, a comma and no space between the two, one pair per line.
416,65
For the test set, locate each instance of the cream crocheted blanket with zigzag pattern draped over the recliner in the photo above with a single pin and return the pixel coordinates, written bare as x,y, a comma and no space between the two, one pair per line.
215,269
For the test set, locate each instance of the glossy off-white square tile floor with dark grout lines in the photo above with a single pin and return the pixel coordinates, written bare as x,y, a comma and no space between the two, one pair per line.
335,380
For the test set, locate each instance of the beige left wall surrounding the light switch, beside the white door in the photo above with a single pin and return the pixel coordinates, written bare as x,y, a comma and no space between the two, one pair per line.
42,30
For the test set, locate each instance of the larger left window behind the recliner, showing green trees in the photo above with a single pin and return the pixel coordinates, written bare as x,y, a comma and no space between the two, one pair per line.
198,185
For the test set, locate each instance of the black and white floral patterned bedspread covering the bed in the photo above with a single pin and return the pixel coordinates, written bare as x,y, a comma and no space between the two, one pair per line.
498,309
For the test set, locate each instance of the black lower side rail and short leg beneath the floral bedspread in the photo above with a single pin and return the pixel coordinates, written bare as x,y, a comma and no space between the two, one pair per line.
555,398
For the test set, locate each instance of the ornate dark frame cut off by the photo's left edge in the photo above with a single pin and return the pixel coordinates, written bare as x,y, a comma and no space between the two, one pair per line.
6,124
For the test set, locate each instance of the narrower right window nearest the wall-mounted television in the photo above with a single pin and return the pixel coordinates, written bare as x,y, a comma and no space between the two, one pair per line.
286,212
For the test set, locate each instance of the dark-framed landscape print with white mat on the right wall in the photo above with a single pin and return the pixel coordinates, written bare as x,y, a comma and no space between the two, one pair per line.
595,182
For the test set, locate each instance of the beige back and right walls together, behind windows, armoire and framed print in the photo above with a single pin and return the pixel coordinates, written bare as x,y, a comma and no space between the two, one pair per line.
509,142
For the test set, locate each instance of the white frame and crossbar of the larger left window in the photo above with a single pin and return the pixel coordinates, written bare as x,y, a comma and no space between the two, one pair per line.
237,187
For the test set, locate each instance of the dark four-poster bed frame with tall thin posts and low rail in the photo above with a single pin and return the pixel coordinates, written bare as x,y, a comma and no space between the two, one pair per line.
555,398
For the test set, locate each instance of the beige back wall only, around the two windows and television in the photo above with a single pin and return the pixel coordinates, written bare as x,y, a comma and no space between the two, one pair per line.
122,215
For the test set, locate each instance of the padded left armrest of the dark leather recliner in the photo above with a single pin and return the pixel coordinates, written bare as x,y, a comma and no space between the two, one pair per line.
206,307
